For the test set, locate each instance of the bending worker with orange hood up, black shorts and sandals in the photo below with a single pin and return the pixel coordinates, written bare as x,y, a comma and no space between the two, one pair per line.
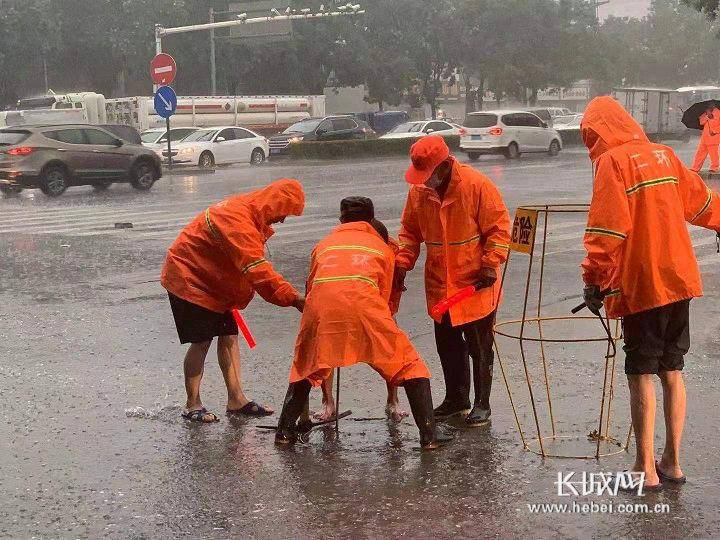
217,264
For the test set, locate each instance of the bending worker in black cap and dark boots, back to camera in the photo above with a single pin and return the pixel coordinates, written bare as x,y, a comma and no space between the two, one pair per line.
347,320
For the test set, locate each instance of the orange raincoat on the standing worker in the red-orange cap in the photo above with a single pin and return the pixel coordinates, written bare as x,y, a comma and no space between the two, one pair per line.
468,230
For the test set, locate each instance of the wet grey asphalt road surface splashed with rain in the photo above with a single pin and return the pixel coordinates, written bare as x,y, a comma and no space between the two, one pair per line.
93,445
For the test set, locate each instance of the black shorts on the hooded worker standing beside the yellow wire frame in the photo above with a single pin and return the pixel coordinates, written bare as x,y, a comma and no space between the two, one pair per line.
658,339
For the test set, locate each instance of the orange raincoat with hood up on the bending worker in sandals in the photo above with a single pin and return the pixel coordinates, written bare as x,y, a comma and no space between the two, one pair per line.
218,261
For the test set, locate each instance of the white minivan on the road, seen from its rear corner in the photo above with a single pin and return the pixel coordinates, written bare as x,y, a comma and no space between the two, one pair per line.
508,132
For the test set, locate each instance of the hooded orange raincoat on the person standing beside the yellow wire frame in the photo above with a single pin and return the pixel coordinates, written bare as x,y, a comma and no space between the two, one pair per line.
637,239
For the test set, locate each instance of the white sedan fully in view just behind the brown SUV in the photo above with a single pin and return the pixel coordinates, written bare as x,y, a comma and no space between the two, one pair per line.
228,144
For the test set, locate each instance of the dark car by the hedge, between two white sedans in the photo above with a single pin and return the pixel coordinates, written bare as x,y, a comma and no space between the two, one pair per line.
328,128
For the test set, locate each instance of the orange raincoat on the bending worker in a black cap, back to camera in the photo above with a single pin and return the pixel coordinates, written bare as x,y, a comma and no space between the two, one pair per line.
347,319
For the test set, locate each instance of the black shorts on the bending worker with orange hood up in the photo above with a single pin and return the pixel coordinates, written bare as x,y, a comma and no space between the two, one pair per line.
195,324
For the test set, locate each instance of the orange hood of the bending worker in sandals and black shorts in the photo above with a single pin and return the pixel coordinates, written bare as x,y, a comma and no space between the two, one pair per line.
279,200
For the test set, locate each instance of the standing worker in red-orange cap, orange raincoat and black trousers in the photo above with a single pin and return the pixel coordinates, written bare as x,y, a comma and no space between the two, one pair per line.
460,216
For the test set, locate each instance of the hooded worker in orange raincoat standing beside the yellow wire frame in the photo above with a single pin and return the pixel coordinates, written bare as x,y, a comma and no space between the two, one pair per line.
640,259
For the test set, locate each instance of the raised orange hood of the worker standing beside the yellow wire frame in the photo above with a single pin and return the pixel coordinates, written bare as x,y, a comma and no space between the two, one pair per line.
606,125
